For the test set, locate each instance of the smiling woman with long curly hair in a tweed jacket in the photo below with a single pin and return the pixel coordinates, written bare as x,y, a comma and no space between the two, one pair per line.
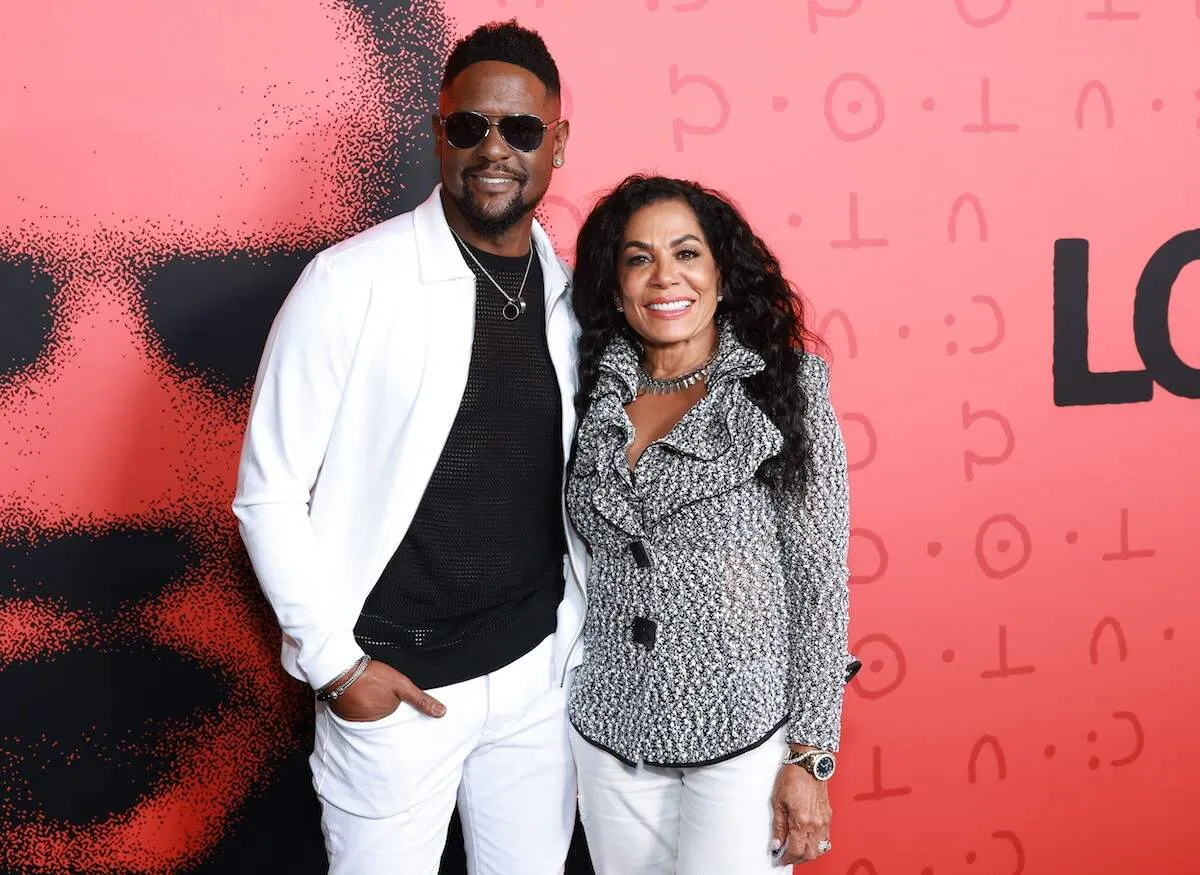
710,482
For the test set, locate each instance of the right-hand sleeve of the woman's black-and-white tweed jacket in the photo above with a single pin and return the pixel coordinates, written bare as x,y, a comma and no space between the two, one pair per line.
815,531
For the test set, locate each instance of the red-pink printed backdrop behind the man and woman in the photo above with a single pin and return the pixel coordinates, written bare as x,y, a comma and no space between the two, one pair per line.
1022,550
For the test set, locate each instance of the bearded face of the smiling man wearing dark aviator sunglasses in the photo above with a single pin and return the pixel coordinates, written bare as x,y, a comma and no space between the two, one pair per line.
493,184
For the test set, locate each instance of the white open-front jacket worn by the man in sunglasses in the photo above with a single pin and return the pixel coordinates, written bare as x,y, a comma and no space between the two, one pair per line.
359,386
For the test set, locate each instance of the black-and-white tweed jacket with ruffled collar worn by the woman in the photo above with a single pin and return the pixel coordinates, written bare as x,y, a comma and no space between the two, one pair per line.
717,609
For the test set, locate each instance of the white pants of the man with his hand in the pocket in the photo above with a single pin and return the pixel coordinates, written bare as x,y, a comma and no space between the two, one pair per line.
389,787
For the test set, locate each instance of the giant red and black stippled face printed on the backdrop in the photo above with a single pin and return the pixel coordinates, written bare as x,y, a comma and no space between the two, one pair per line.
169,169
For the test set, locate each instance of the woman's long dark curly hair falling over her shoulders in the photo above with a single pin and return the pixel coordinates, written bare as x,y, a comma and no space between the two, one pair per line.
763,309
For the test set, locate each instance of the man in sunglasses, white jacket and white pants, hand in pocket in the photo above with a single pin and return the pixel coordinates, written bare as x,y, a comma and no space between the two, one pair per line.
400,495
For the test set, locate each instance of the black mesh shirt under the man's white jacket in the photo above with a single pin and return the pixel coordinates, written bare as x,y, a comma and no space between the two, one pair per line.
478,578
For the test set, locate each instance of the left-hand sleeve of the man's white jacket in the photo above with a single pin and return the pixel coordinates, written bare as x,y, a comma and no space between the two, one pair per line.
297,395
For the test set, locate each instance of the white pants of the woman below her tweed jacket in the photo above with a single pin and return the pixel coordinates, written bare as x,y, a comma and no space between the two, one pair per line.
679,822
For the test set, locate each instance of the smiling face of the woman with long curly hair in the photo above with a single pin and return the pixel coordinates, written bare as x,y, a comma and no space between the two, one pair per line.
668,277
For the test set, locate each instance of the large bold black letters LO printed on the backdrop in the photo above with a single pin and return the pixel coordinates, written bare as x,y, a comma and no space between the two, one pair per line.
1075,382
